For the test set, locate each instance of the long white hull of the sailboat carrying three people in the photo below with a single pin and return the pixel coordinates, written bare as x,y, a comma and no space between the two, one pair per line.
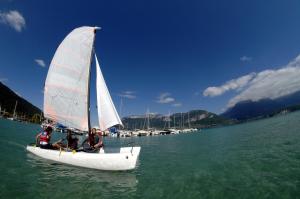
126,159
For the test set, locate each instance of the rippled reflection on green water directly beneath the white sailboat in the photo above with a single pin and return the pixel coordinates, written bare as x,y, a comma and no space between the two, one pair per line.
105,182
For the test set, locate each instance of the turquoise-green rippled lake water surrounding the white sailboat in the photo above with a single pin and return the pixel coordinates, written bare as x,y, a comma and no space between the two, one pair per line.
259,159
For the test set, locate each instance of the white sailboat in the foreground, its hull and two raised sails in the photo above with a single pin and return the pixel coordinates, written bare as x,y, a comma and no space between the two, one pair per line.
67,102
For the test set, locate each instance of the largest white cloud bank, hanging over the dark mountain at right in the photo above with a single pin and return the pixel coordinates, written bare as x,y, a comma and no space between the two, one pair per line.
269,84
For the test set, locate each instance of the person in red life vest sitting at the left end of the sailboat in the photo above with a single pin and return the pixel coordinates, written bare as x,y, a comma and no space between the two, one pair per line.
44,137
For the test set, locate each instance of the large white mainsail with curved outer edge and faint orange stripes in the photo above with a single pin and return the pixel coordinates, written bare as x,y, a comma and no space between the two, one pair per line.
67,85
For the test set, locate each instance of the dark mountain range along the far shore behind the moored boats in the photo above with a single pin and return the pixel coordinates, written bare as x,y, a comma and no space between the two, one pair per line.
242,111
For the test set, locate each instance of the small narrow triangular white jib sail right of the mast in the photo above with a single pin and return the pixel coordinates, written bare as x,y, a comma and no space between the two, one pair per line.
107,113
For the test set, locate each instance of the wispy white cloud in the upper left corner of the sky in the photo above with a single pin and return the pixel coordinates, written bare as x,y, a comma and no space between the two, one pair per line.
14,19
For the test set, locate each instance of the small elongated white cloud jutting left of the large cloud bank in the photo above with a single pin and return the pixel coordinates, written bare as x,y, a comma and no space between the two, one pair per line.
234,84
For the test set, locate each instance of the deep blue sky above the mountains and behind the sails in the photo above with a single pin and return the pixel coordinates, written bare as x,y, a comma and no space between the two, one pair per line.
163,54
